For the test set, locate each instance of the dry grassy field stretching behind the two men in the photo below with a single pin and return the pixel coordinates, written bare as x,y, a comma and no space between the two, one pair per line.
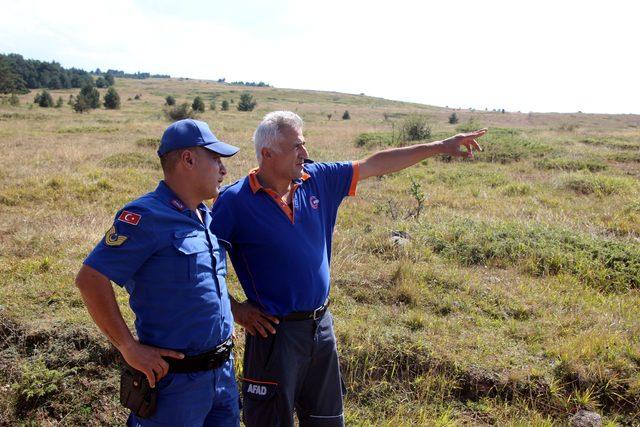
511,297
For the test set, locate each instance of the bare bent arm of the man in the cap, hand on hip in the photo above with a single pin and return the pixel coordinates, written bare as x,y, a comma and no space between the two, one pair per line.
100,300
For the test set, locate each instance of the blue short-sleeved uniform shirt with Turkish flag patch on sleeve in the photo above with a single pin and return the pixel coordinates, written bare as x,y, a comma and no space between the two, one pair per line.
164,256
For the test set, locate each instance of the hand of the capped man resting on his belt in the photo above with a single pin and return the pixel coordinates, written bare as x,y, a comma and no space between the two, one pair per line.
149,361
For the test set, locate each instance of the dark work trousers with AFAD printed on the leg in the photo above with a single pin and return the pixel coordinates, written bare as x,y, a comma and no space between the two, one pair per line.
296,368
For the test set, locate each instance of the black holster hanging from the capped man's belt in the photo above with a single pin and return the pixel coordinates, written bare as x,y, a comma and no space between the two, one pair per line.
135,392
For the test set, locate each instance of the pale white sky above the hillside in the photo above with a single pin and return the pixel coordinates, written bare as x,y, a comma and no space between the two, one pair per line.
542,56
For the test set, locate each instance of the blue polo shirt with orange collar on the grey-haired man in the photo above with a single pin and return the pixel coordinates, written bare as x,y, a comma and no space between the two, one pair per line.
282,255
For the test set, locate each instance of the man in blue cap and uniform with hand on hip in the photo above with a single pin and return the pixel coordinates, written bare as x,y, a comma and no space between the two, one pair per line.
161,249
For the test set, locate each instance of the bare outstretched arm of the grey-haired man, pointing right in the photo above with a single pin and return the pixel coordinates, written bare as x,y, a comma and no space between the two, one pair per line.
395,159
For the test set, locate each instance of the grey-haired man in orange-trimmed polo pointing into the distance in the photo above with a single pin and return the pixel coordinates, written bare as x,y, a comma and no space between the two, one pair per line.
277,224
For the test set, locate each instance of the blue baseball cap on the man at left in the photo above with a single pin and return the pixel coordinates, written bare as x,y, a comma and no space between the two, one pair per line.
193,133
